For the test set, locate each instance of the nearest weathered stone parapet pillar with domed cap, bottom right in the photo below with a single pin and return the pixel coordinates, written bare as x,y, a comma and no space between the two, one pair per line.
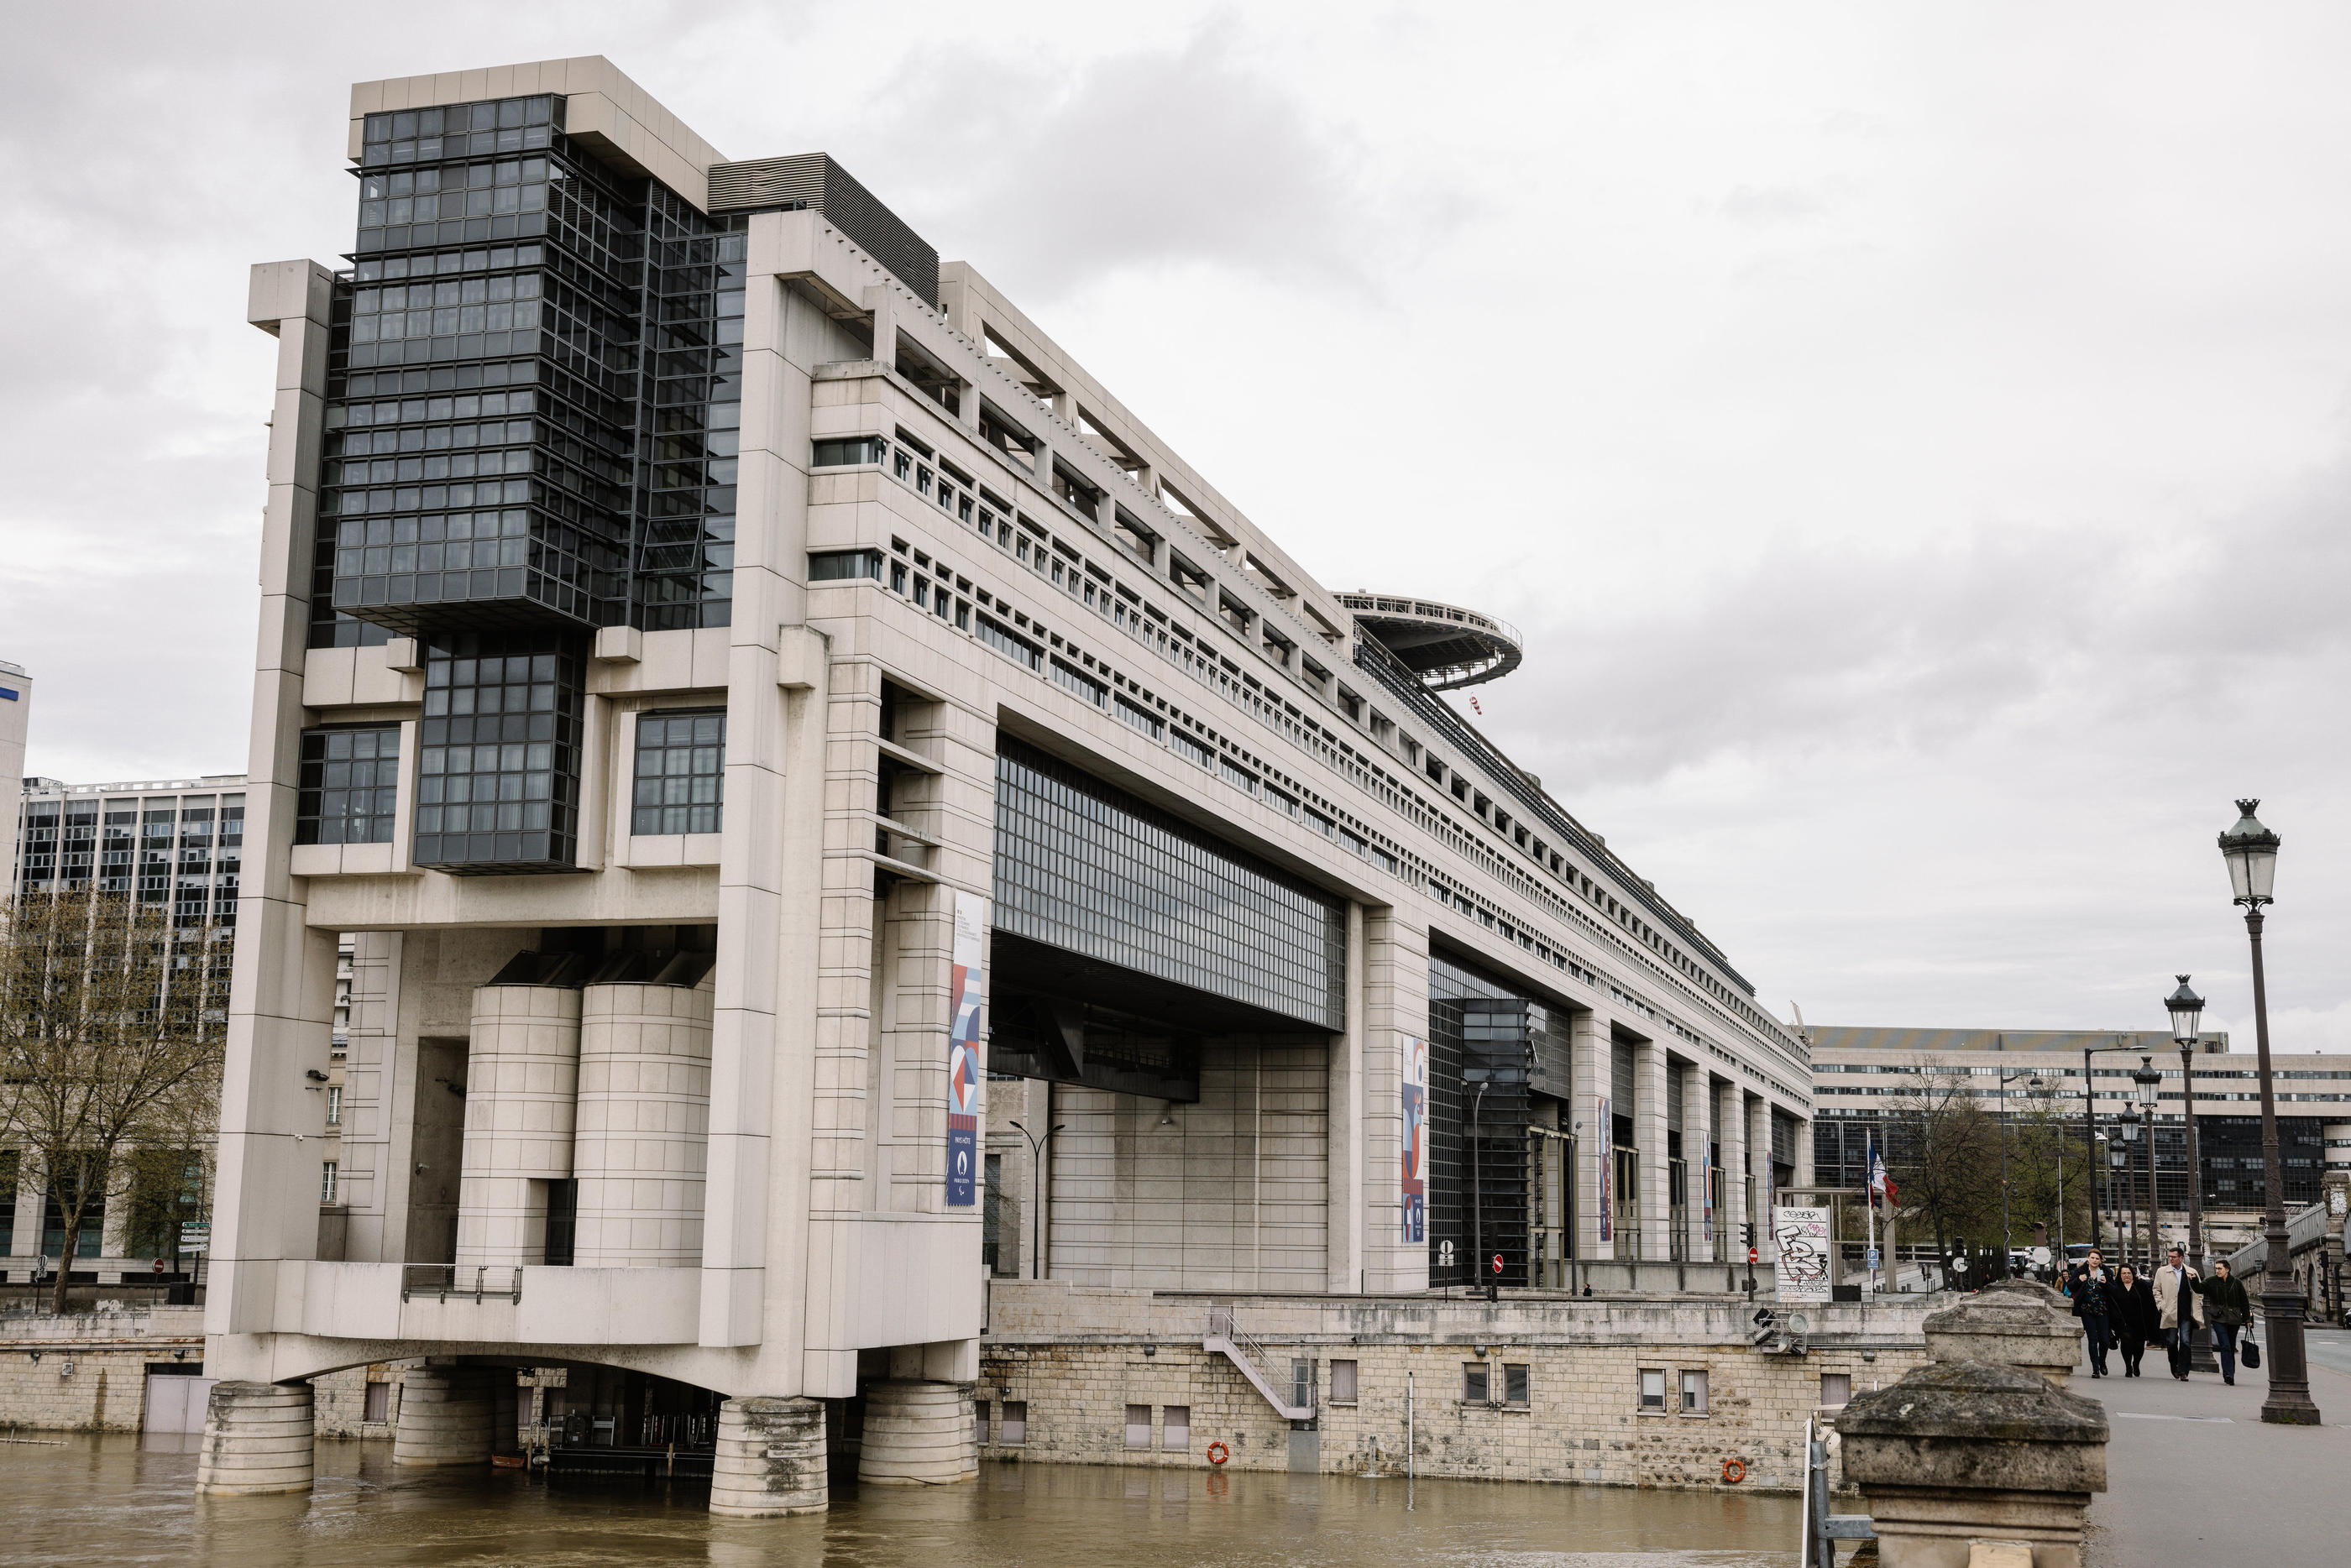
1964,1454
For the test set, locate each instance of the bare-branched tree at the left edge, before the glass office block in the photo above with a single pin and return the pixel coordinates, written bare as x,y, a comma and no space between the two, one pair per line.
109,1047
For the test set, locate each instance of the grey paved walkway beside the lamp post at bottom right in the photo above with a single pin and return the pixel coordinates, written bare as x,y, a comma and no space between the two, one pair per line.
2195,1477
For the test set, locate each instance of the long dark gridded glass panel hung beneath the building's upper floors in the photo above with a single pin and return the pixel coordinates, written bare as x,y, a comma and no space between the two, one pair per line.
1094,871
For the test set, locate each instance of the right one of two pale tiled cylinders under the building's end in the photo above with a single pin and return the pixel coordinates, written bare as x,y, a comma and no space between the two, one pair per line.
643,1144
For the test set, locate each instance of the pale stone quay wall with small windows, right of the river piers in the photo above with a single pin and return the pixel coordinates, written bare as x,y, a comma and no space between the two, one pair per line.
1073,1362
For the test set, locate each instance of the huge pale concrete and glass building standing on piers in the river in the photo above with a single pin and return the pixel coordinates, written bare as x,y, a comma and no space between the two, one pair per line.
775,723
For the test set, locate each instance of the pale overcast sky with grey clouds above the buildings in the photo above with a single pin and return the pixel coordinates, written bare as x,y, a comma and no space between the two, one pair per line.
1910,438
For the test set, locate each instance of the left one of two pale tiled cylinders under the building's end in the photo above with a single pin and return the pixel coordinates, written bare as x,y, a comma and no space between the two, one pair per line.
521,1099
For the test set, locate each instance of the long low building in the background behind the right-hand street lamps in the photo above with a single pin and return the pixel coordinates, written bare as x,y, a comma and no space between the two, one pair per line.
1863,1076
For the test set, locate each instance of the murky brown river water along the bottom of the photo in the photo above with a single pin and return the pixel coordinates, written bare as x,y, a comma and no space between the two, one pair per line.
130,1501
